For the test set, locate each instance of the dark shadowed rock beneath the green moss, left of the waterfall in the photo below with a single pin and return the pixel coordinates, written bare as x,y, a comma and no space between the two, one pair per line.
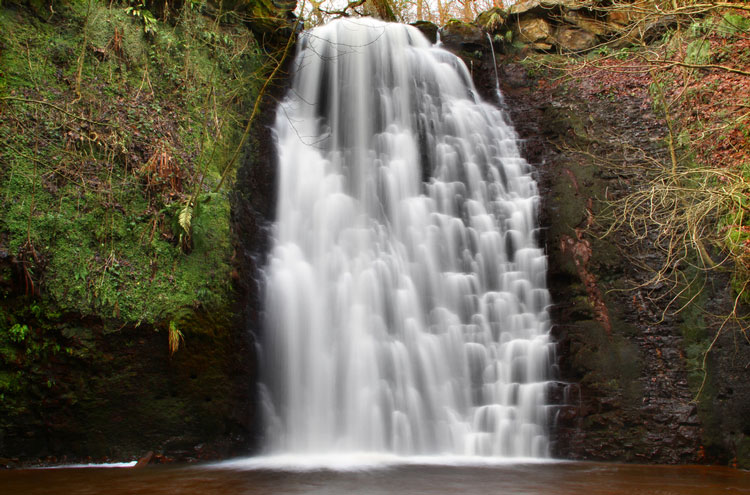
115,393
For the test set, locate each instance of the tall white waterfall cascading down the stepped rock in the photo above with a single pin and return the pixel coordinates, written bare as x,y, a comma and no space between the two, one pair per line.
406,299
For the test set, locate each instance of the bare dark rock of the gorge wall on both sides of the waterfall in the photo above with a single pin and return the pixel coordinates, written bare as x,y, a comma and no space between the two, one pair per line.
102,388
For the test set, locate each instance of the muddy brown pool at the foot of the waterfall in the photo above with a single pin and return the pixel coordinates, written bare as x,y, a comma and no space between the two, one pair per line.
522,479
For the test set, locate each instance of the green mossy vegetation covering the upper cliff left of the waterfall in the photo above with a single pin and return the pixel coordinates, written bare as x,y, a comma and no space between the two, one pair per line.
92,196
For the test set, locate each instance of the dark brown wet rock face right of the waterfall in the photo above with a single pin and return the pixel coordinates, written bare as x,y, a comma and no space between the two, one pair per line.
625,365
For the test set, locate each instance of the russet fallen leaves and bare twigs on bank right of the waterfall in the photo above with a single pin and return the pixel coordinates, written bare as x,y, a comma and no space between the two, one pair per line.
692,204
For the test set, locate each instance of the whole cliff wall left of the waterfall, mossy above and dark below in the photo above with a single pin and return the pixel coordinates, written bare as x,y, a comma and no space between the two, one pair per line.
121,330
